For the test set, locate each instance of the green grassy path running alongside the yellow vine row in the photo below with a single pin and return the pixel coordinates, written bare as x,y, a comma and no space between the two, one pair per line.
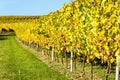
17,63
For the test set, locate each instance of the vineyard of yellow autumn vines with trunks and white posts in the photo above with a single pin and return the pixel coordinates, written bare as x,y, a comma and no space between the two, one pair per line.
83,31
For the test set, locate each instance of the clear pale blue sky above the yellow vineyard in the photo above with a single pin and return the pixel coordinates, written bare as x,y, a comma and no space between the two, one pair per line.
30,7
